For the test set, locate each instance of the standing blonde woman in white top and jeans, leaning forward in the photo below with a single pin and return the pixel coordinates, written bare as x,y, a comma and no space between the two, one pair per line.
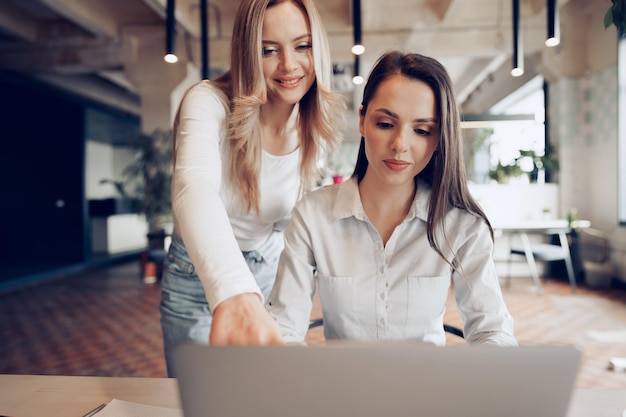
247,146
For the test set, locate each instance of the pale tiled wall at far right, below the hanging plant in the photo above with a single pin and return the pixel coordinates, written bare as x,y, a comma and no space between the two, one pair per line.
584,129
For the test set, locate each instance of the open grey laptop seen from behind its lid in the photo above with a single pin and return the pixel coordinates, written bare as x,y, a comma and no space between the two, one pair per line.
376,380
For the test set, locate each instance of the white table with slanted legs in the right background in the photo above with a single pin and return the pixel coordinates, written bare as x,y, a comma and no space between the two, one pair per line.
544,227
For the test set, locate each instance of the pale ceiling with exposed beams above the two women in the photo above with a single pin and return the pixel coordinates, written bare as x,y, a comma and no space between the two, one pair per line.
78,44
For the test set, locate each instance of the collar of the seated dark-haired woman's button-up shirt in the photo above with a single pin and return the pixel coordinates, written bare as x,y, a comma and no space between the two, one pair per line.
348,202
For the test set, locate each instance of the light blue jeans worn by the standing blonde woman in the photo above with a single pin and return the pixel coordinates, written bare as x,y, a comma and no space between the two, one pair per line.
185,313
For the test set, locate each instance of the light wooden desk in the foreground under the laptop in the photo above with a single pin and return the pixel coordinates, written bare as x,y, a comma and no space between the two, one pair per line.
73,396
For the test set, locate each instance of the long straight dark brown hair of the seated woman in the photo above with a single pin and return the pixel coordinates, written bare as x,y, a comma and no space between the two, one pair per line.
446,170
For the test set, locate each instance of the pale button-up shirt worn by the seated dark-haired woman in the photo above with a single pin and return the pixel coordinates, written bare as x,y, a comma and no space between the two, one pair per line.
395,292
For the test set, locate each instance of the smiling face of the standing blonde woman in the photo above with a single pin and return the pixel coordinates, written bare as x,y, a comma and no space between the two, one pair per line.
287,53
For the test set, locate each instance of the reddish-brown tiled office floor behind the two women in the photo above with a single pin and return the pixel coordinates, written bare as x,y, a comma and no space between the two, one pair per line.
104,323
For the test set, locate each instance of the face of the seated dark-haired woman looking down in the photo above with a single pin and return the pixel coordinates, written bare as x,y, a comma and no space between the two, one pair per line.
401,131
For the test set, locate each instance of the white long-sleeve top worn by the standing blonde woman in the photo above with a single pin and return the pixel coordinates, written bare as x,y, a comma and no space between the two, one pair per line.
208,215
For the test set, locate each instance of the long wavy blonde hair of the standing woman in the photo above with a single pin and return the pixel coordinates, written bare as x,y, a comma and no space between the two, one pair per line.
320,110
